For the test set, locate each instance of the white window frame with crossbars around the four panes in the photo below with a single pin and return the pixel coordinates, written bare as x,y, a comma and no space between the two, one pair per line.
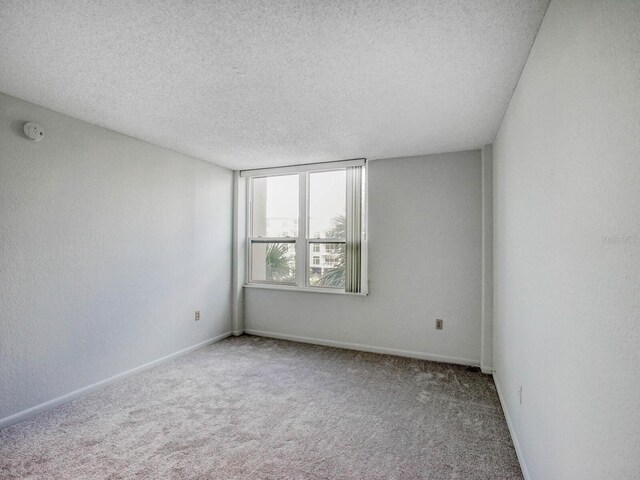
303,242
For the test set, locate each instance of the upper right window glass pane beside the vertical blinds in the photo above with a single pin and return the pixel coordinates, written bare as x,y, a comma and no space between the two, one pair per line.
327,204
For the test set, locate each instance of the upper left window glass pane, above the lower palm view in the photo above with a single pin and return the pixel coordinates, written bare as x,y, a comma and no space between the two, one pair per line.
275,206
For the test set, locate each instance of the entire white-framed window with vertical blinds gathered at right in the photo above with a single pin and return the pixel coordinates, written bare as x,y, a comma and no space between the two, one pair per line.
306,226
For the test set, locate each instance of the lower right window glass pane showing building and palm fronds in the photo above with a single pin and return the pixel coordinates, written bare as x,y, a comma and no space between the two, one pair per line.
326,266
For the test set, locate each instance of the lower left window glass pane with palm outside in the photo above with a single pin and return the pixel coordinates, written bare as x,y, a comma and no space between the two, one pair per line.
273,262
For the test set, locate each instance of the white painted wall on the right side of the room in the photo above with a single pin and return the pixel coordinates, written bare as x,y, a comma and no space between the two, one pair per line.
567,246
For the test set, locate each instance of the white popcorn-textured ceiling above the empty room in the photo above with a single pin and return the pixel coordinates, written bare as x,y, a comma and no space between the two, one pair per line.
248,84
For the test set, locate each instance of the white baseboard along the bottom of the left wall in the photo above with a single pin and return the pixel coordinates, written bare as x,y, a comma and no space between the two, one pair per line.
30,412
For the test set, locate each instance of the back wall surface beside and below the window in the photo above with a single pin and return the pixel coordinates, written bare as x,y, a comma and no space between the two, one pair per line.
425,248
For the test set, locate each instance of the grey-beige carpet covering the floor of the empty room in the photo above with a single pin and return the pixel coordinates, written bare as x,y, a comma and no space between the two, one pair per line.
255,408
